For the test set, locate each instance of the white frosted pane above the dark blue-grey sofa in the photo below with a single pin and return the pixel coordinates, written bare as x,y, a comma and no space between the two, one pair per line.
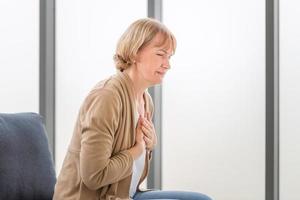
19,56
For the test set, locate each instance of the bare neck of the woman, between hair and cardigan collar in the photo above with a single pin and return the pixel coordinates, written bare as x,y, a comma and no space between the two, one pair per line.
139,84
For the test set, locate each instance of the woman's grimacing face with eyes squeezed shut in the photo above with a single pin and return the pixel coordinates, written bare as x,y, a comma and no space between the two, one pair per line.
153,61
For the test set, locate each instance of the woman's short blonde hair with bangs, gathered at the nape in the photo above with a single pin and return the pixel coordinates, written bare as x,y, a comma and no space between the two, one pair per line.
138,35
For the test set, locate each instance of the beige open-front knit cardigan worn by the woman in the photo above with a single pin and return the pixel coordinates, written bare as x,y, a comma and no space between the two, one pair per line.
98,164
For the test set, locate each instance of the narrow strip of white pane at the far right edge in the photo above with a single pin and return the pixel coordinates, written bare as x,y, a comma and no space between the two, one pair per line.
289,99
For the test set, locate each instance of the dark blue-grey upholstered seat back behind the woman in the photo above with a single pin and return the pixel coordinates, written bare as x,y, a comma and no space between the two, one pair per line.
26,165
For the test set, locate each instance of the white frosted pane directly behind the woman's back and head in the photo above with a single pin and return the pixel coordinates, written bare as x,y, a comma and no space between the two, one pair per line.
86,36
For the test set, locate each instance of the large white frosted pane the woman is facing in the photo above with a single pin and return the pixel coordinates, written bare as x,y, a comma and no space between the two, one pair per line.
214,99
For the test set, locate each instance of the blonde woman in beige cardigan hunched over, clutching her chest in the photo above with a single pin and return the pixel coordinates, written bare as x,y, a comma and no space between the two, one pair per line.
110,151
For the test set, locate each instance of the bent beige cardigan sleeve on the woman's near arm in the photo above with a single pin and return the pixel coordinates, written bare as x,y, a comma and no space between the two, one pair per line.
100,118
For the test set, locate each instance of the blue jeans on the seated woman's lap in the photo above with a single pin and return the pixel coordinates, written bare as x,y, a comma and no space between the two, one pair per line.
168,195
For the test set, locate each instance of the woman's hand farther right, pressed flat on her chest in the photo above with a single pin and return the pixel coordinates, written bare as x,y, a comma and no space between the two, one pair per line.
149,132
